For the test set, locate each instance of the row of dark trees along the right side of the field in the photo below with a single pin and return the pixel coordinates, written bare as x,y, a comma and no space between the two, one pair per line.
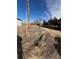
53,23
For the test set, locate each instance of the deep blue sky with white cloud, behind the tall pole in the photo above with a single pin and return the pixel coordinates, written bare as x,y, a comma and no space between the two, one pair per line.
43,9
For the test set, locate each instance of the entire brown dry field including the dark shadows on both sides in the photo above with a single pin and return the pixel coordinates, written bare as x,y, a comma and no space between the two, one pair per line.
38,43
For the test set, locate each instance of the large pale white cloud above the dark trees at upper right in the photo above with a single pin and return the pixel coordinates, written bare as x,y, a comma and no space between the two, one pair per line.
53,7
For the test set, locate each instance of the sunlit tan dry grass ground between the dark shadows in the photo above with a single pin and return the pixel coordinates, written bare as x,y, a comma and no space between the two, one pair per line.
38,43
